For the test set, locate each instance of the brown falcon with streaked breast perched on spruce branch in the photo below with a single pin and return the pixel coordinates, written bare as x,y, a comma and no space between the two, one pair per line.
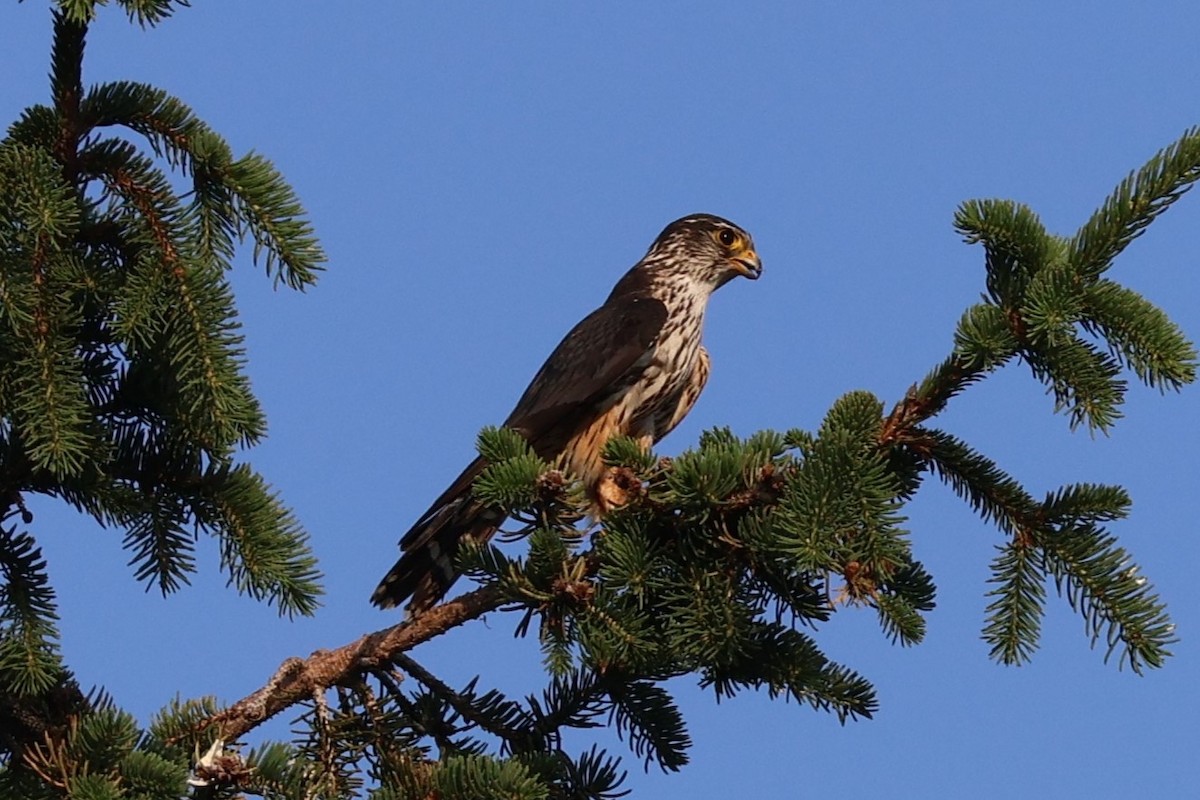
633,368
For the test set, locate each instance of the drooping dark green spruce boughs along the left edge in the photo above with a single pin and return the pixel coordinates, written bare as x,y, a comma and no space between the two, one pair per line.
123,377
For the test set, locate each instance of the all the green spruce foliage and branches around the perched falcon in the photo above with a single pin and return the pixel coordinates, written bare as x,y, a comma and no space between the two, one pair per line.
123,392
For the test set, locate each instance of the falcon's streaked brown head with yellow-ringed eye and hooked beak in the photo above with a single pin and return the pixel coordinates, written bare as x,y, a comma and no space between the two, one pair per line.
706,249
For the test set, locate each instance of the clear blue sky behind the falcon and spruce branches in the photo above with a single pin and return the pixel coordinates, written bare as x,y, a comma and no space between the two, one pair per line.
481,175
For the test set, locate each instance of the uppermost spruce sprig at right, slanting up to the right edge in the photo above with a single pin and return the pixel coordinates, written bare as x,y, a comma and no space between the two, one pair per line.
1135,204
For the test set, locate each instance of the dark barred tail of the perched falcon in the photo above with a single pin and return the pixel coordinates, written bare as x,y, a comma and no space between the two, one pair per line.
427,570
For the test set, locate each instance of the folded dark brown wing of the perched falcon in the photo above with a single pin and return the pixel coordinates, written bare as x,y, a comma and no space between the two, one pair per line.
597,359
